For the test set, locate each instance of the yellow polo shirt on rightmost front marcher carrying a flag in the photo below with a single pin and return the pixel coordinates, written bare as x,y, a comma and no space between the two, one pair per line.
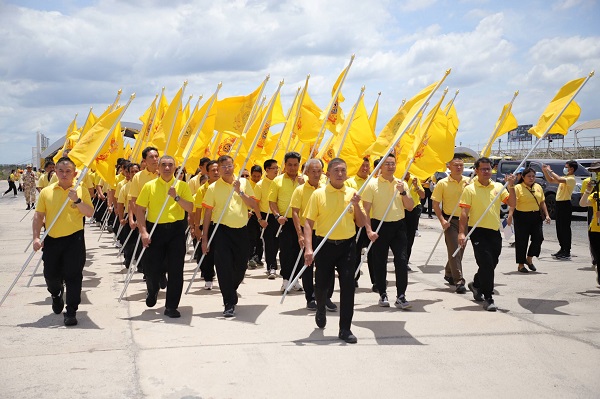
477,198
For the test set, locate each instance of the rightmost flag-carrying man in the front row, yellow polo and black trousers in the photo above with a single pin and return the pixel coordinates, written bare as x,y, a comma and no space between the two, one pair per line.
486,239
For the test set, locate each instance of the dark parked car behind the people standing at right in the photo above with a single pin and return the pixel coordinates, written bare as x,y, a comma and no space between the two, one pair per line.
506,167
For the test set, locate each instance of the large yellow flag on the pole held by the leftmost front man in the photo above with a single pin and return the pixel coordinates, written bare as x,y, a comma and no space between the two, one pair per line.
84,152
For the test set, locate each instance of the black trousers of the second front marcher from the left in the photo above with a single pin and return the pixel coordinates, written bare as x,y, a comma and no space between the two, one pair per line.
166,251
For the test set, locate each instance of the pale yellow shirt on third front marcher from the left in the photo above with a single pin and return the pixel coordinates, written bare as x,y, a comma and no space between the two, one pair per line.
236,214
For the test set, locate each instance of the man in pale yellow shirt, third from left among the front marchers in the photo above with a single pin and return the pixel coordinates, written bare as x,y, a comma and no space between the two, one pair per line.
230,242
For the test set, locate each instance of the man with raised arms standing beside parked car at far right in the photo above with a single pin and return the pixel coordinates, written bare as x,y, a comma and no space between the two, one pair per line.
564,210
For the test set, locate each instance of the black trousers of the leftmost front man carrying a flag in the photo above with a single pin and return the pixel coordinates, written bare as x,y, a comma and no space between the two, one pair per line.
64,258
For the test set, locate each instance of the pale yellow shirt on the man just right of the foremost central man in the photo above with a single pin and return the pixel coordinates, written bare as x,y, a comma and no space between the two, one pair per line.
379,193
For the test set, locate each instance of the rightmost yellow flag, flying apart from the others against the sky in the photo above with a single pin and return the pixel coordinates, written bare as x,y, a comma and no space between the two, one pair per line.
558,103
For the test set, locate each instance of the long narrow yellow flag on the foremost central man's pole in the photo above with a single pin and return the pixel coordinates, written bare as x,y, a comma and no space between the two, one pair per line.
396,124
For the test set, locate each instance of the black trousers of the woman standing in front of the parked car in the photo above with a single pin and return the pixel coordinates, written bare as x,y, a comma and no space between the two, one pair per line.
528,225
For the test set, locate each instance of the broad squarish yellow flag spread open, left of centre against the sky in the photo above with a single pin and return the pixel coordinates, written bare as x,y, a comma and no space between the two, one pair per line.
233,112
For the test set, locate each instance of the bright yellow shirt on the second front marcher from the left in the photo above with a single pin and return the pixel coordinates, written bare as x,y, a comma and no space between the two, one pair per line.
153,195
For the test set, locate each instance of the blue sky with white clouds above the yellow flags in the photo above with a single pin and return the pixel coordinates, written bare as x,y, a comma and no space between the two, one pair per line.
60,58
